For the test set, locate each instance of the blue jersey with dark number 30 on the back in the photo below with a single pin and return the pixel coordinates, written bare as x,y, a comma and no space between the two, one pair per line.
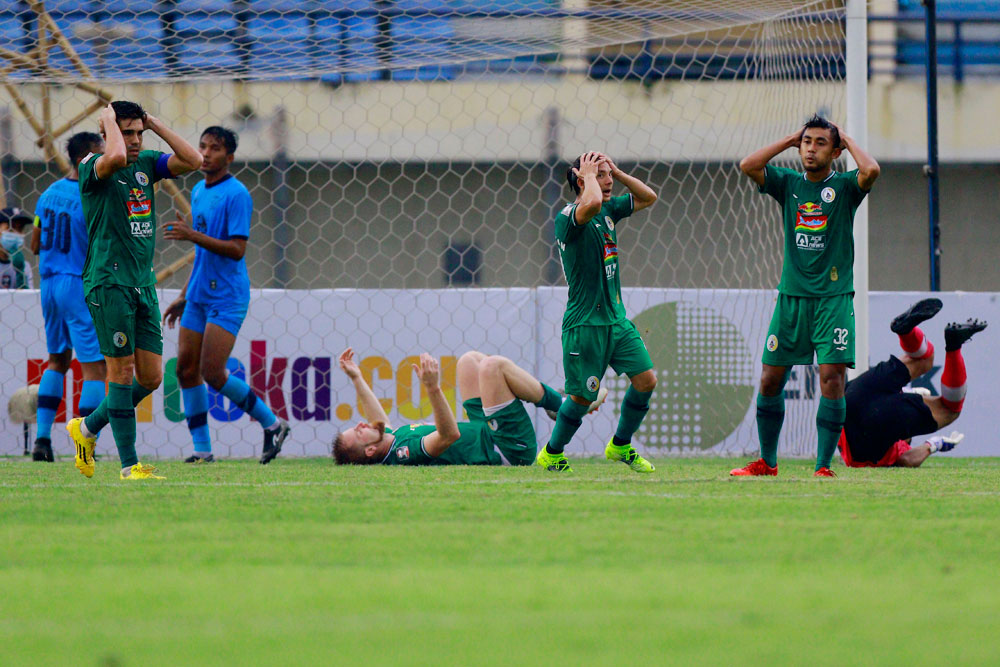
59,214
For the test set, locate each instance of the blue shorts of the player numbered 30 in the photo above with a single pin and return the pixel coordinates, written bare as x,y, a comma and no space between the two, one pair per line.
67,318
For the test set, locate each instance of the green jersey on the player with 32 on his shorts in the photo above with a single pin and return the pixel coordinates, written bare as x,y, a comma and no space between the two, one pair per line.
819,230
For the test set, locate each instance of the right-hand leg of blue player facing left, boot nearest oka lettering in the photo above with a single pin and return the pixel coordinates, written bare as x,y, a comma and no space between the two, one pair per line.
223,323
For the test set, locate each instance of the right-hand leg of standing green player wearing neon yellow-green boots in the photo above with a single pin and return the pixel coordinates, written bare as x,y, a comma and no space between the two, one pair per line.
630,357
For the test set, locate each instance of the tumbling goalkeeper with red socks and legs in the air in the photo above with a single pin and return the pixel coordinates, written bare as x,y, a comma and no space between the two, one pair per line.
881,418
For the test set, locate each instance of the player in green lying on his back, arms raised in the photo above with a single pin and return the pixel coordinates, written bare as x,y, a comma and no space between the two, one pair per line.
499,431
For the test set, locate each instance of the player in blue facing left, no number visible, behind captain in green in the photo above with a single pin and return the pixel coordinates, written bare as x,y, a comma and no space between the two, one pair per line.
214,301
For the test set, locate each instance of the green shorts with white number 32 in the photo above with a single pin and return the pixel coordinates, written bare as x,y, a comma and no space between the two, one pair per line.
802,325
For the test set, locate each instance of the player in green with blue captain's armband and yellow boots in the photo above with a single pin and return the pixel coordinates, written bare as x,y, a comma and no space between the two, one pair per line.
116,188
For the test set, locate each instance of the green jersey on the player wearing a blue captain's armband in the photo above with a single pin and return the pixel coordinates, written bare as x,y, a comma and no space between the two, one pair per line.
121,222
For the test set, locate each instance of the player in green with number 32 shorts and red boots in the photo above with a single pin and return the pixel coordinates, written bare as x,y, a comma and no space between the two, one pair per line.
815,309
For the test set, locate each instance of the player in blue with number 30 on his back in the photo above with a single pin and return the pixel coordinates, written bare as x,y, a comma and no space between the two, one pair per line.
59,240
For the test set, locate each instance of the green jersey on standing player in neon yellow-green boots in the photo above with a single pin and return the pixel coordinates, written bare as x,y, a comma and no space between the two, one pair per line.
589,255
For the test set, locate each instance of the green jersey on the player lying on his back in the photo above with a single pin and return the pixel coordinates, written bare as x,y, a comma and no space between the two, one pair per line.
472,448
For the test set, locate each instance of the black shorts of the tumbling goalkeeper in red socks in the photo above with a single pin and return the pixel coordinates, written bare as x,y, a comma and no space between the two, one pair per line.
879,413
